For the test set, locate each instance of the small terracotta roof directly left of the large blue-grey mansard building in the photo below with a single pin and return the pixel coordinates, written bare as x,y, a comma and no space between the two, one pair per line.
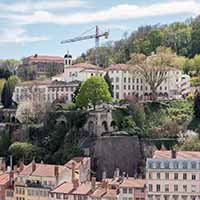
133,183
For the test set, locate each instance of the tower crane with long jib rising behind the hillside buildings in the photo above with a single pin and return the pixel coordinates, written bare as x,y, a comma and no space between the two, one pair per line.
96,36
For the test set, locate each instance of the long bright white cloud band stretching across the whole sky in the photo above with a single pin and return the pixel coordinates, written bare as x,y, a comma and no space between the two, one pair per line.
119,12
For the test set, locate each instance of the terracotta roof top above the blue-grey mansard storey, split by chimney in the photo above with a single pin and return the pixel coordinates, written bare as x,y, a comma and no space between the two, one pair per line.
179,155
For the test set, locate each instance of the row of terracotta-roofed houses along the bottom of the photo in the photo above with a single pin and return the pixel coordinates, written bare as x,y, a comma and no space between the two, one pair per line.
170,175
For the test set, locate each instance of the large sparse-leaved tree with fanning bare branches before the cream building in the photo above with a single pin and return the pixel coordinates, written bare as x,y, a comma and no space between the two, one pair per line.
153,68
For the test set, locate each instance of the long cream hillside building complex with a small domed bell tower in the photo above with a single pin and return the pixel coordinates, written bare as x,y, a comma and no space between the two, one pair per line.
125,84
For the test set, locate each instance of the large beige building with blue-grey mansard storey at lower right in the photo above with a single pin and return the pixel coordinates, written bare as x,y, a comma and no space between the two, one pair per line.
172,175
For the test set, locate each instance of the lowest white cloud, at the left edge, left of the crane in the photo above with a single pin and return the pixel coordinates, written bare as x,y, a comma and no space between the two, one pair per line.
18,35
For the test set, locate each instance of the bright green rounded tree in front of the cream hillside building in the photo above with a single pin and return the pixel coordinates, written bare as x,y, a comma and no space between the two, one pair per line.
93,91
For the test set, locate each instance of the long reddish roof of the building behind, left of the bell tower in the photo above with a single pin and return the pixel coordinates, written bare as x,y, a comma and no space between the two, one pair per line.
42,58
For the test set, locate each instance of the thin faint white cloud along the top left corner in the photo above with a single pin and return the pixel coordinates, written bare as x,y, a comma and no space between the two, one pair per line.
30,6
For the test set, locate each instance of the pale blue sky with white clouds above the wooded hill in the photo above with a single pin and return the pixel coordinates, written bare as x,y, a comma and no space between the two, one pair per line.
29,27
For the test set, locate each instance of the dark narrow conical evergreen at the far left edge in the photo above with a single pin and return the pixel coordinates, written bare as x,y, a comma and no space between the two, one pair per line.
6,96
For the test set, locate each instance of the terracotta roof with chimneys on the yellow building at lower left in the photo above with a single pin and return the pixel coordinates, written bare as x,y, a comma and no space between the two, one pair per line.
43,170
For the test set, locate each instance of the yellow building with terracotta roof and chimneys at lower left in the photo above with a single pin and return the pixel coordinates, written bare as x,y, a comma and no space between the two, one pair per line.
36,180
